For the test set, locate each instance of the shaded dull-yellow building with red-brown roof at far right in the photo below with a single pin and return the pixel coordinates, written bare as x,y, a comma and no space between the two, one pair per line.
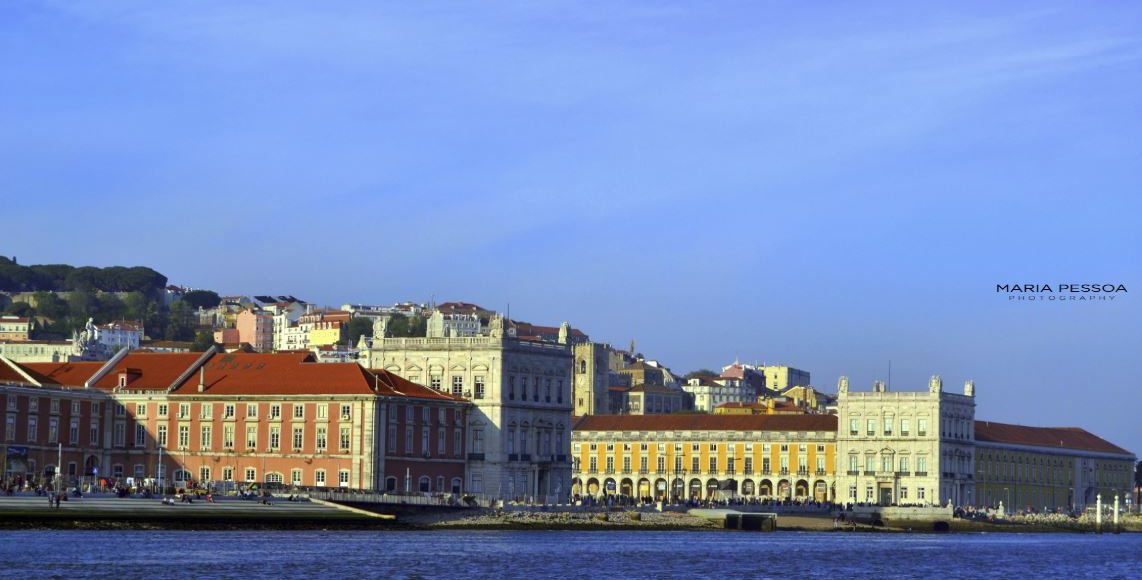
1048,468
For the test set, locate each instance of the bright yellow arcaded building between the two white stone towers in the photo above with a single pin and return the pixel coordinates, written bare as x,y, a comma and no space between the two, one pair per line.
705,457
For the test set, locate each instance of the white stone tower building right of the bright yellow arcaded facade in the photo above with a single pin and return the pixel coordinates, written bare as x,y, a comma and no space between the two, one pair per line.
906,448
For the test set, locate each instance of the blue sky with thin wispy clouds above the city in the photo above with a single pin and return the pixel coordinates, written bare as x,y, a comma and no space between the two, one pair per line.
831,187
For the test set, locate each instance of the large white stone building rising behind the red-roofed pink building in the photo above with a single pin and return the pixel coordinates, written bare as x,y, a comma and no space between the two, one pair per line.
520,432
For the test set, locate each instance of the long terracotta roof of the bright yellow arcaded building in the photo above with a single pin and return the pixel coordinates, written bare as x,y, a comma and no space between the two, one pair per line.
803,423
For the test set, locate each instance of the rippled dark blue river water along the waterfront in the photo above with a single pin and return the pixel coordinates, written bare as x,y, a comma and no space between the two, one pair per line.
570,554
